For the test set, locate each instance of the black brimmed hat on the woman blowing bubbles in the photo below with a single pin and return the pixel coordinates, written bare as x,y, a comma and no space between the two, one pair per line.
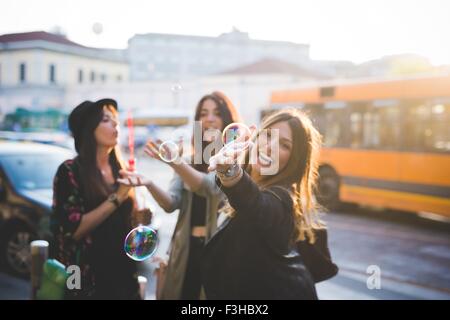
79,115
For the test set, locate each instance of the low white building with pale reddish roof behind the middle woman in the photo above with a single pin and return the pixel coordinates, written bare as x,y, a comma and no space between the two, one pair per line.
248,87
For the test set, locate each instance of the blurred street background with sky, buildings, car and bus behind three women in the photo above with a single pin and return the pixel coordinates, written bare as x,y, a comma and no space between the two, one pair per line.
373,75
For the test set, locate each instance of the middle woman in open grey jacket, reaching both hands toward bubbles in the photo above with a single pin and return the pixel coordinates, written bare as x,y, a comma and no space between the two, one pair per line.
194,192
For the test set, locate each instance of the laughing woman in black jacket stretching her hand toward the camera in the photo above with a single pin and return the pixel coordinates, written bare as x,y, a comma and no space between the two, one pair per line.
254,254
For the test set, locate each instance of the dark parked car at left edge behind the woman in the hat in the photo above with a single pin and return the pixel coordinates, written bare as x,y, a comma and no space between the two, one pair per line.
26,189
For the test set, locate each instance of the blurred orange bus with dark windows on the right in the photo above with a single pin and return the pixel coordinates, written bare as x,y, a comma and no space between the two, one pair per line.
386,142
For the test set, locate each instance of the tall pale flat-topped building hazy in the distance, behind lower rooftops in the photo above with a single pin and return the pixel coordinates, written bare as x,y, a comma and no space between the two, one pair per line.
167,56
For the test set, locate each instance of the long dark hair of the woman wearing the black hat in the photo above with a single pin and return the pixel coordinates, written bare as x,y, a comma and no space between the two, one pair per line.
95,188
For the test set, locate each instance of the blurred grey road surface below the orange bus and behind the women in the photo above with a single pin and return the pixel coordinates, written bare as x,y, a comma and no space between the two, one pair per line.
412,254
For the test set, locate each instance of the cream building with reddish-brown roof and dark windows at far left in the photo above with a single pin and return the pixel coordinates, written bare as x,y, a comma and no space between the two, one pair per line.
36,69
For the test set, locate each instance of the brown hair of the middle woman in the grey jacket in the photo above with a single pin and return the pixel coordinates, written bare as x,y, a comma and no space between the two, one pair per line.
228,114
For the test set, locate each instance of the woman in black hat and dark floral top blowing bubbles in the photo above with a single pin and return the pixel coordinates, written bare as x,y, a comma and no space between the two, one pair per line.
91,211
